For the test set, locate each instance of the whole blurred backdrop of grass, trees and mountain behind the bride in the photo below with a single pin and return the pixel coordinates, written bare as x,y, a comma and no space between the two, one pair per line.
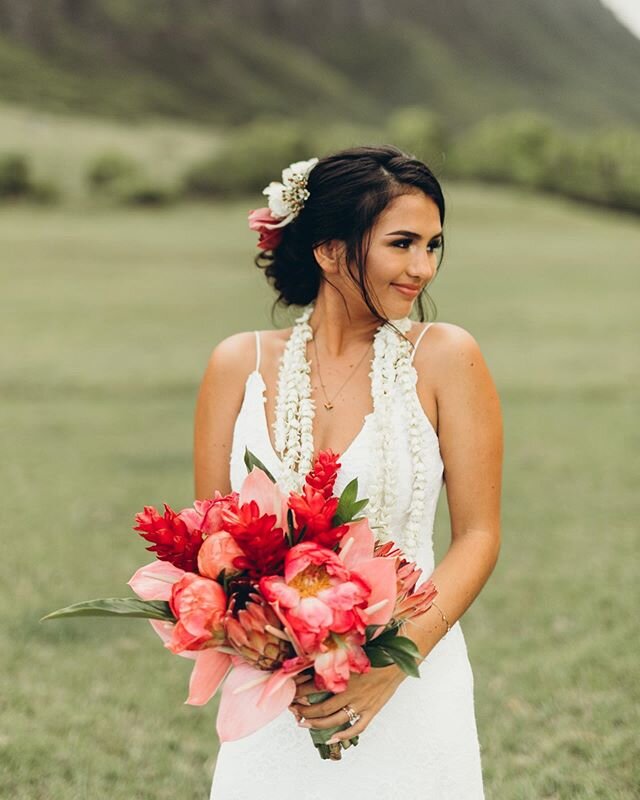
135,136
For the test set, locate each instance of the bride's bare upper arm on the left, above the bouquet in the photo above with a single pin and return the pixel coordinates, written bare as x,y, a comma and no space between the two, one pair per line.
217,406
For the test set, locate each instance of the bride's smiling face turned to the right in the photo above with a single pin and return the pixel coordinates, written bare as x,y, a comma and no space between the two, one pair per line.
404,250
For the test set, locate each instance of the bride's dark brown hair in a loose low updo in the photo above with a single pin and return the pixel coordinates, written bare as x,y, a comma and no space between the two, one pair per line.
348,190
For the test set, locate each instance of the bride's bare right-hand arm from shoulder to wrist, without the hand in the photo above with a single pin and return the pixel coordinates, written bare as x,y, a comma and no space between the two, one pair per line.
471,444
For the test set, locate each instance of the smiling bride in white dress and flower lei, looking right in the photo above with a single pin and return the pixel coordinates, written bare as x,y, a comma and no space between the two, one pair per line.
354,239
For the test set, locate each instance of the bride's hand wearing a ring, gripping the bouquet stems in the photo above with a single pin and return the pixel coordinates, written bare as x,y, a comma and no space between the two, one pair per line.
366,694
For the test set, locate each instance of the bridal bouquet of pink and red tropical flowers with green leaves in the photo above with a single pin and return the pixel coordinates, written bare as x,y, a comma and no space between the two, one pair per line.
257,587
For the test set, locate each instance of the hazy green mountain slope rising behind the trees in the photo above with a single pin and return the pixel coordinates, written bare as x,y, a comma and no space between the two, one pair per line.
227,60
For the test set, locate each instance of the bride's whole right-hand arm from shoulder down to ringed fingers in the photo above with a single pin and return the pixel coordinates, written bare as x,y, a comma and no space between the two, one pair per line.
469,426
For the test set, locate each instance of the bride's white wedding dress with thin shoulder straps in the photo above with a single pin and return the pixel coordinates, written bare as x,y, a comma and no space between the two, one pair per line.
423,744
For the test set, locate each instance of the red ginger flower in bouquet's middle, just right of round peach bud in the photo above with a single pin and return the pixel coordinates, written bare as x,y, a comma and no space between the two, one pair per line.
263,543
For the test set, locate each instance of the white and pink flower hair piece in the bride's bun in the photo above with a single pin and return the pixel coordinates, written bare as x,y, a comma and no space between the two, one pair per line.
286,201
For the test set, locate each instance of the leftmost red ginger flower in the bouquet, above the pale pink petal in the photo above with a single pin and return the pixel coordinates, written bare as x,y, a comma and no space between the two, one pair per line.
174,539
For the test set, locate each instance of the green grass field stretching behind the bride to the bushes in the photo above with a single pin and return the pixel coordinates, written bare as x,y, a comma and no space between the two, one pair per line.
107,321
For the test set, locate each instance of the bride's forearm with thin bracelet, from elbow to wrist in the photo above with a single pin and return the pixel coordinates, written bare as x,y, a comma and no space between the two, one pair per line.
459,578
